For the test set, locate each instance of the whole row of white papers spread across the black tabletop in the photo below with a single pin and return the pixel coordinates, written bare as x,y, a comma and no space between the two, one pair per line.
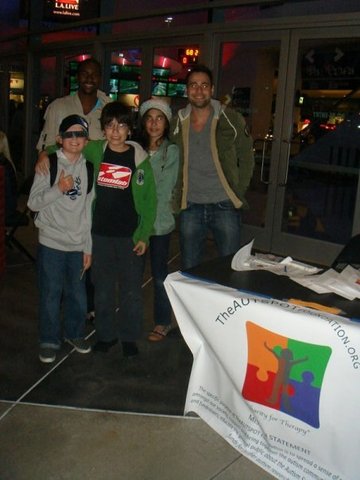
346,284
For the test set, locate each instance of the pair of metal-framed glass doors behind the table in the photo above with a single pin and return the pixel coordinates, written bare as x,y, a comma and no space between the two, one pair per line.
299,94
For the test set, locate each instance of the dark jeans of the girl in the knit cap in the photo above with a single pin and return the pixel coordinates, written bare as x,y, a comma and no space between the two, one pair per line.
159,254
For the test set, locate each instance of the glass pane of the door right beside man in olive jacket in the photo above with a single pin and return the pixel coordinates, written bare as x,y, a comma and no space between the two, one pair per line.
252,92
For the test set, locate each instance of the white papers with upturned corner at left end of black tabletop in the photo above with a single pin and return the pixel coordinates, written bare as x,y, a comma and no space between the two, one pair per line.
243,260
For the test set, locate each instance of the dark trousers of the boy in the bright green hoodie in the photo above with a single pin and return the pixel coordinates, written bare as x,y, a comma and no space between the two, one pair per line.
117,274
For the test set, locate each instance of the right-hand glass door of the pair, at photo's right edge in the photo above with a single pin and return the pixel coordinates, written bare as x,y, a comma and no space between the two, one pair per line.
318,184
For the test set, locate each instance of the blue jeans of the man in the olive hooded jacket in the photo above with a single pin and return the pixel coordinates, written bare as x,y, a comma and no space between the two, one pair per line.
221,219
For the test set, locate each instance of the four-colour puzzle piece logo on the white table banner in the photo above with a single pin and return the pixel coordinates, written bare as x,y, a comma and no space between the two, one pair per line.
285,374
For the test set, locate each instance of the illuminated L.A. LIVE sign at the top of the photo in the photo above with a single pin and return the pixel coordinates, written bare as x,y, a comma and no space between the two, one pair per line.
71,10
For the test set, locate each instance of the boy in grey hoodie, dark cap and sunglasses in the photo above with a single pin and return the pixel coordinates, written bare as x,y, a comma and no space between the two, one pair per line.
64,250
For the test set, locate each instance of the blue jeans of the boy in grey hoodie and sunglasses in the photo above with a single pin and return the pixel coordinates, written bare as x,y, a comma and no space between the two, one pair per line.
59,282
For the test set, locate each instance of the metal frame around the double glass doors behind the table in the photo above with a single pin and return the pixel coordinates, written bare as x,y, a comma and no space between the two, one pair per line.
270,238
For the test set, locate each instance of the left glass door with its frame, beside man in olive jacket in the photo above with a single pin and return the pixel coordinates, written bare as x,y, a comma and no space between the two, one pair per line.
251,79
